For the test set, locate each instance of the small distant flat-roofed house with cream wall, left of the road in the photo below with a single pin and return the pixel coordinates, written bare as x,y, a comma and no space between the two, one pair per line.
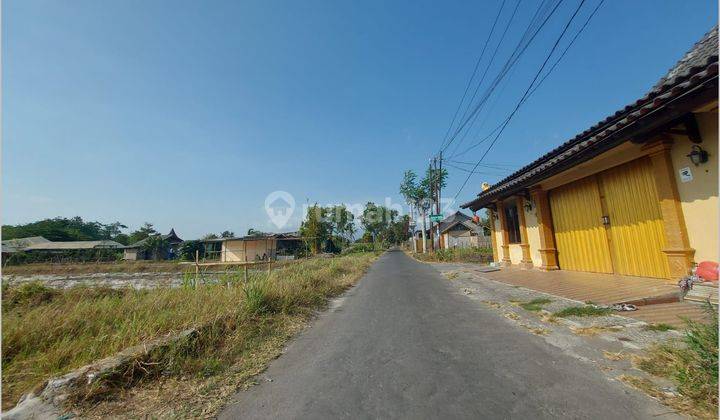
261,247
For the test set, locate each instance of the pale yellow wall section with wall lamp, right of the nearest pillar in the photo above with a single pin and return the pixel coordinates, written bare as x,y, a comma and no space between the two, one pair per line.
699,197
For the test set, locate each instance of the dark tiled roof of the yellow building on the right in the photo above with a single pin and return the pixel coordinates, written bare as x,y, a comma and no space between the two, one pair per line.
694,71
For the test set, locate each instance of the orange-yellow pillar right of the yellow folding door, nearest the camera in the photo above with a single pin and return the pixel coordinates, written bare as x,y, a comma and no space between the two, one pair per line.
677,246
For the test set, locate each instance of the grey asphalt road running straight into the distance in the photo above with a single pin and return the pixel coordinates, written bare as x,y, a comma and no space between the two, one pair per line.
403,344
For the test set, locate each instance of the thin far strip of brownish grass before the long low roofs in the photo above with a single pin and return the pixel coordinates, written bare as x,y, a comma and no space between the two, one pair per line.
99,267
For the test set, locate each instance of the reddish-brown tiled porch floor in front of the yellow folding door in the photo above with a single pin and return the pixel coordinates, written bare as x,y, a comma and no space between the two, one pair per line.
605,289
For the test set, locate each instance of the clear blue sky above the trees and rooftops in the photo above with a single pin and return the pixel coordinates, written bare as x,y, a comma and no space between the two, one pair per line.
187,114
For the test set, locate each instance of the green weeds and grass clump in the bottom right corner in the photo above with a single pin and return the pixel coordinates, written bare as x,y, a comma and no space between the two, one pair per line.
692,363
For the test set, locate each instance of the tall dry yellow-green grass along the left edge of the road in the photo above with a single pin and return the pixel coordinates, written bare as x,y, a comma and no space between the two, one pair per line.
68,329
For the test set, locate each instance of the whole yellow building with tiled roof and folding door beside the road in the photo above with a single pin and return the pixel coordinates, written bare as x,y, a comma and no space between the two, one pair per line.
636,194
